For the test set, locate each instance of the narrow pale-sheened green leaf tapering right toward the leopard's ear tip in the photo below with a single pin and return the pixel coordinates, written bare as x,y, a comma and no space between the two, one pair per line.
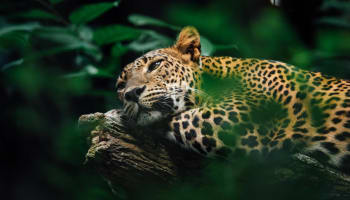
141,20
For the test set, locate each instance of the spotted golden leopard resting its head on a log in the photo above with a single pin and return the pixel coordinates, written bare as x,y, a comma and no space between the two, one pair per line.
259,106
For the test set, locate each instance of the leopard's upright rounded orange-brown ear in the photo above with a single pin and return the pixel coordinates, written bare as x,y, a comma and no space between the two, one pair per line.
188,43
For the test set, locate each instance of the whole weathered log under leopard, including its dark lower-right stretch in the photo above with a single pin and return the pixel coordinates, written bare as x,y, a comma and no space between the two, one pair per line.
127,159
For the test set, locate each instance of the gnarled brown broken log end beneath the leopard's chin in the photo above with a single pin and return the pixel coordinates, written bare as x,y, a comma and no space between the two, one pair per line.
127,161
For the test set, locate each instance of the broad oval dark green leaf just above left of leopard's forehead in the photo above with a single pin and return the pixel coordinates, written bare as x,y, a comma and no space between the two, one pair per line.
115,33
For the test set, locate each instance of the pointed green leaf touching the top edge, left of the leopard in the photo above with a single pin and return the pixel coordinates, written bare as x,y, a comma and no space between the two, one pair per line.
89,12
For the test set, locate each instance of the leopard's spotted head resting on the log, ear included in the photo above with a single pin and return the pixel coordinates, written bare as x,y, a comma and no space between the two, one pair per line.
162,82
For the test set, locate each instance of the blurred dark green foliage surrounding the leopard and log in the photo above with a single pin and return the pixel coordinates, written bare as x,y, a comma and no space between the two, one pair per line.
59,59
